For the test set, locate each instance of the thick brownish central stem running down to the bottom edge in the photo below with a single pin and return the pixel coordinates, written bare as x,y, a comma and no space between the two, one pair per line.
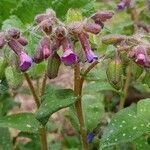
78,105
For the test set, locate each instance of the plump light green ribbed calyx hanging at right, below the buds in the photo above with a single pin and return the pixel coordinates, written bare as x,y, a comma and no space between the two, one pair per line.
114,72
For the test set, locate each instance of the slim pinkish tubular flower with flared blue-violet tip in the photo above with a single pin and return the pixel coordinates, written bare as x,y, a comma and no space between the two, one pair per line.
90,56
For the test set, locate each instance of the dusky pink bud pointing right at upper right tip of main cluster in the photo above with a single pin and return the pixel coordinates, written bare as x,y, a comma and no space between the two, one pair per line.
102,16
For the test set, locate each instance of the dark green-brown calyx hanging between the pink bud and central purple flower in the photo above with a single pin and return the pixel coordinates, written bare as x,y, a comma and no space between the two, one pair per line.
53,66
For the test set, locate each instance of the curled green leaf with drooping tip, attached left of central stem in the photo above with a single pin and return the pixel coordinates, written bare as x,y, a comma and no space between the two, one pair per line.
54,100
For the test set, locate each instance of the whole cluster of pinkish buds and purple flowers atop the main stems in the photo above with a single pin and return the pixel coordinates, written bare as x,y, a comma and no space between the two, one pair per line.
56,35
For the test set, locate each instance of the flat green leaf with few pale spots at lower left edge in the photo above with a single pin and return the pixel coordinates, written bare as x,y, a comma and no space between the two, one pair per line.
22,121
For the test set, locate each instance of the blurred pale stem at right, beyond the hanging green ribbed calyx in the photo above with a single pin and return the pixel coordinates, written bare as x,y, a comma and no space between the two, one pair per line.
126,87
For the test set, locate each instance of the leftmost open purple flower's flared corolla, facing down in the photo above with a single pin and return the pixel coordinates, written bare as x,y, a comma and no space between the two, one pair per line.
25,61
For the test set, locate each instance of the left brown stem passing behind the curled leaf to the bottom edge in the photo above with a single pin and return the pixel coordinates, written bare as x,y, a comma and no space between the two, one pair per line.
42,131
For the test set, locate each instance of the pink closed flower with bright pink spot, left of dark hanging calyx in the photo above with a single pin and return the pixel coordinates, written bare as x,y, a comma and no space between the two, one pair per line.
43,50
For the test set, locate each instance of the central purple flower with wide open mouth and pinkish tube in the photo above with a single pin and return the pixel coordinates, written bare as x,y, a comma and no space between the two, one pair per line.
69,57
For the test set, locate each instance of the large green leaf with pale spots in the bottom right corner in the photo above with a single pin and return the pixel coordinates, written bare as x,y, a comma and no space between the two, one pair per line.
128,124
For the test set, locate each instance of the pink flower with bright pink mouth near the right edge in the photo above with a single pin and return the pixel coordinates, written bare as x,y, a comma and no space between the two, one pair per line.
139,55
